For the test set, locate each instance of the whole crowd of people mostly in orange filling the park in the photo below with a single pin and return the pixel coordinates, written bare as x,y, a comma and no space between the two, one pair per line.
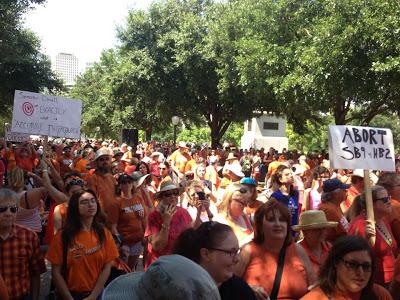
202,223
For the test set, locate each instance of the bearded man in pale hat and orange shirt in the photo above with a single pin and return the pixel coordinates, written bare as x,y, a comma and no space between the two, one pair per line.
102,182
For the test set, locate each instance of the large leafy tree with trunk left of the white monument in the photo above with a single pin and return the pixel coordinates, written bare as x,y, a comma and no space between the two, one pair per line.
188,63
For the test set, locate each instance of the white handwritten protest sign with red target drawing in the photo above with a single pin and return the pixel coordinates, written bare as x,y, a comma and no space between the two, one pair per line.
35,113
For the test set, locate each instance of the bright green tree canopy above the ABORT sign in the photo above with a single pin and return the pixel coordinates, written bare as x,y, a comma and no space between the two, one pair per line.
324,55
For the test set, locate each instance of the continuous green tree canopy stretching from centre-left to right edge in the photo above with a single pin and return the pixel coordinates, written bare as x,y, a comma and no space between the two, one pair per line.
220,62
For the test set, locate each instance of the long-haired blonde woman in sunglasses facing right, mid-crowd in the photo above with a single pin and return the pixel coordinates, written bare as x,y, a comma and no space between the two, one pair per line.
231,212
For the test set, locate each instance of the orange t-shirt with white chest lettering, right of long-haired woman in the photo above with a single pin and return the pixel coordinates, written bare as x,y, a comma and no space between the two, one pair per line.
124,213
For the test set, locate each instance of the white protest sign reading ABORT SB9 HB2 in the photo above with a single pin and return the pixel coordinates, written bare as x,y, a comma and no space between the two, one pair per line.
356,147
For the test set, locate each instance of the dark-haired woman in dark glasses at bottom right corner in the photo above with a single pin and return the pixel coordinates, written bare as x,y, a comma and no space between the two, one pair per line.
348,273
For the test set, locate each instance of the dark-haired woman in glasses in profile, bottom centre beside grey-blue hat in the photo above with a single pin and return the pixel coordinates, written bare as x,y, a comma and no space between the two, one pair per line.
214,246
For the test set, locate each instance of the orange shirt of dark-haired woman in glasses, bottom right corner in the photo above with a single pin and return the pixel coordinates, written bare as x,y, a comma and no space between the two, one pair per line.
317,294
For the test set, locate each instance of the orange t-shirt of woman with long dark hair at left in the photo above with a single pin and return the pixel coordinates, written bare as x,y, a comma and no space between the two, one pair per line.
85,260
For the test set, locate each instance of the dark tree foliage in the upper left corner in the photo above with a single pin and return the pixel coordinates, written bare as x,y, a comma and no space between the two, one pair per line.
22,66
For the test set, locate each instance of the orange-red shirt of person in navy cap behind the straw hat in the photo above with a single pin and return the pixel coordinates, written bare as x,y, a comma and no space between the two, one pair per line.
334,213
